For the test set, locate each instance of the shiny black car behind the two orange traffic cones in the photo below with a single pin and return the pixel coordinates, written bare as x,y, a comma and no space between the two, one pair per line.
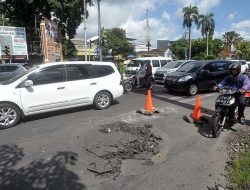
197,76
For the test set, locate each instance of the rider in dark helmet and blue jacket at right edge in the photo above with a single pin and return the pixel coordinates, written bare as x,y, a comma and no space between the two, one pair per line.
239,81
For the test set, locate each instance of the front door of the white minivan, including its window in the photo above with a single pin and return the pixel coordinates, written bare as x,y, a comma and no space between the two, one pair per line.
49,90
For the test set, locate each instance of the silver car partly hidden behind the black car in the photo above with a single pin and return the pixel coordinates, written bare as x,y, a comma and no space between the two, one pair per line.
162,72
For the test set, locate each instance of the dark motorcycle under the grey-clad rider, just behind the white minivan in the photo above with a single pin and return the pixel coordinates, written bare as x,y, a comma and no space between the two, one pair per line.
131,83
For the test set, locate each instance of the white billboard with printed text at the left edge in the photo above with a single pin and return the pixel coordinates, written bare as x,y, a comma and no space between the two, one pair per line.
13,44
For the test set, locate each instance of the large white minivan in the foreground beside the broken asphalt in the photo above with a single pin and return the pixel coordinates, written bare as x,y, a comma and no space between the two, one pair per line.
56,86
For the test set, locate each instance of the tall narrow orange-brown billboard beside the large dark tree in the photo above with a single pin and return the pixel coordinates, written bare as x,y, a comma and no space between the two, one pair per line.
51,42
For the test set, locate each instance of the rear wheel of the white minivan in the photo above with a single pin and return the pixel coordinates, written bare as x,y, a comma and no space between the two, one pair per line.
102,100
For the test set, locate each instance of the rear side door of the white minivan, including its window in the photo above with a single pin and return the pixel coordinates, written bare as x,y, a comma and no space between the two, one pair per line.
81,84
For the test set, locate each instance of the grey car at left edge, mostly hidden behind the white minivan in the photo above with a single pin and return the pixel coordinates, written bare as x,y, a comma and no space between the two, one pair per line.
10,70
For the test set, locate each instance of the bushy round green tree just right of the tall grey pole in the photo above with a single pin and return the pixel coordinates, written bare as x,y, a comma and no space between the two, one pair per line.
116,41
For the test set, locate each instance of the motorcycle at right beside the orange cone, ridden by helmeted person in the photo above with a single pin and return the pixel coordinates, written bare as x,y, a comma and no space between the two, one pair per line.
225,106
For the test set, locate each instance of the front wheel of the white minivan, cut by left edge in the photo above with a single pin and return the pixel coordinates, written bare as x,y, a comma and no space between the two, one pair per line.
10,115
